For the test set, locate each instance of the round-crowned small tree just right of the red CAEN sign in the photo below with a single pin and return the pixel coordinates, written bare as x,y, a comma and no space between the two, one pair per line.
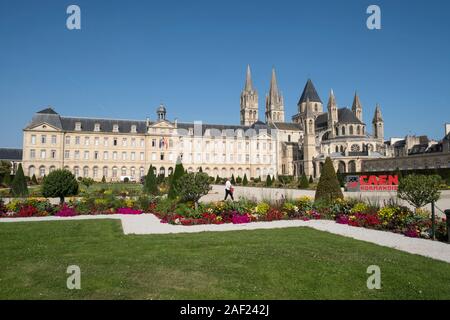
419,190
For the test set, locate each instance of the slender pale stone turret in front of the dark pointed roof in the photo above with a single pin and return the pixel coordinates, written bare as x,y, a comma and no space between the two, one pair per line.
309,138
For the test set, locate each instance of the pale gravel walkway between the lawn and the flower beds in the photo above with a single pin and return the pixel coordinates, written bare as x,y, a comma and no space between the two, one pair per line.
149,224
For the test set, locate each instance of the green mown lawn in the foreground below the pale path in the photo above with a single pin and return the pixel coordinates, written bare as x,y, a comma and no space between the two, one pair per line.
293,263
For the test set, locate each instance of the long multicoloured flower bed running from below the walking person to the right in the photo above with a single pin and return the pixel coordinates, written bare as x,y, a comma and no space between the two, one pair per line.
391,217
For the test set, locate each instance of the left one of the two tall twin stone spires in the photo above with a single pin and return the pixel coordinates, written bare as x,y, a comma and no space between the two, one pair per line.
249,102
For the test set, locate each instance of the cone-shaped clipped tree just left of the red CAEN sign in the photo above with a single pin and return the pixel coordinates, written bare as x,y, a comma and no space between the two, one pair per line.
328,187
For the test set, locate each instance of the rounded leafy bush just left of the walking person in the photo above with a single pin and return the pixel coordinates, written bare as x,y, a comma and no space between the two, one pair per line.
192,186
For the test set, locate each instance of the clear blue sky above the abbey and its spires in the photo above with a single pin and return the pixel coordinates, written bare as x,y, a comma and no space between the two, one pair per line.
130,56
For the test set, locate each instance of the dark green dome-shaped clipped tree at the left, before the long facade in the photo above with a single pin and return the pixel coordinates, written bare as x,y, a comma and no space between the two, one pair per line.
60,183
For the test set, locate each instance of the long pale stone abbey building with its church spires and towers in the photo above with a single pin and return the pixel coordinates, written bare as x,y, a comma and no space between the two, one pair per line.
115,148
